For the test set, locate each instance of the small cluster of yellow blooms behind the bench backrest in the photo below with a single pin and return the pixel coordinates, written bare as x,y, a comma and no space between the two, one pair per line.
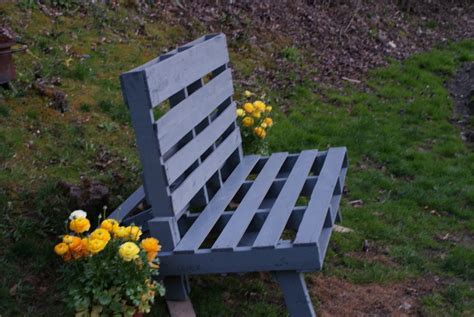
255,116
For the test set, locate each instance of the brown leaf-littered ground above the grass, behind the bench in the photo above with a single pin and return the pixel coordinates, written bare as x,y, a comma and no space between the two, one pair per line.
336,41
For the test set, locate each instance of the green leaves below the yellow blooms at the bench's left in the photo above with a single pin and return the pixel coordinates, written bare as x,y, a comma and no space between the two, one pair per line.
106,284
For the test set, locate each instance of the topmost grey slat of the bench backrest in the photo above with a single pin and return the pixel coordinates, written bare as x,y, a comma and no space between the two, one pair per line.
172,73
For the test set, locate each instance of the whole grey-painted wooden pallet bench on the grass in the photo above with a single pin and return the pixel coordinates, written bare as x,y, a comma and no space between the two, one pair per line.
213,209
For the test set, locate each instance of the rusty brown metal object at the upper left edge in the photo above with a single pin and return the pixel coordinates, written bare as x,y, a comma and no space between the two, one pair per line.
7,68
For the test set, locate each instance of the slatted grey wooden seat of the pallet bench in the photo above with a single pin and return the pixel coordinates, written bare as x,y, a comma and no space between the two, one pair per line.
282,220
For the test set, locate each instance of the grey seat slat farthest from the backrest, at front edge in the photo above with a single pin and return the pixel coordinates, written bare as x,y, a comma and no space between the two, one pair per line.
313,219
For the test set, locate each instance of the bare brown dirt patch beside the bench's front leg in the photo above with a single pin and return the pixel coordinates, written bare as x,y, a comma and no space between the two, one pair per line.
338,297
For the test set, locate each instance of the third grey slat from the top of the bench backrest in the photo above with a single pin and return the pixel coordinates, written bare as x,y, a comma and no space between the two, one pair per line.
182,160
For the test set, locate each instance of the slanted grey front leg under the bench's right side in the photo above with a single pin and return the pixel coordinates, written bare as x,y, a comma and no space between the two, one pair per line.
295,292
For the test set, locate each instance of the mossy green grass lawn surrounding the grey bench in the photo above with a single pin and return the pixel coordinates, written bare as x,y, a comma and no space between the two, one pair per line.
409,166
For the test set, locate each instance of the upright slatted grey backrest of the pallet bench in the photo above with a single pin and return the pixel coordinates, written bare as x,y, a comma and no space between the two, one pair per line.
189,151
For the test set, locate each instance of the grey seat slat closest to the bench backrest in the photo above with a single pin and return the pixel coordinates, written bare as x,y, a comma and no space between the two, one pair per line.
209,216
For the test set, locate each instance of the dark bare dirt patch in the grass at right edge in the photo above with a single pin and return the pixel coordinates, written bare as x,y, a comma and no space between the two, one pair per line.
461,88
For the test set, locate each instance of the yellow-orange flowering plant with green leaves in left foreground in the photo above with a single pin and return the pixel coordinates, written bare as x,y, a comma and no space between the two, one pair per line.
113,269
